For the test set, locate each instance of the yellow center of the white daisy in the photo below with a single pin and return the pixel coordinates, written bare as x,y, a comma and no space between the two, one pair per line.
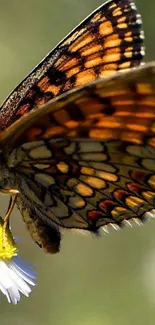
8,247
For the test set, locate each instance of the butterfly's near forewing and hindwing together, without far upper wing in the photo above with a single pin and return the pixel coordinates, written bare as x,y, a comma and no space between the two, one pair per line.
95,166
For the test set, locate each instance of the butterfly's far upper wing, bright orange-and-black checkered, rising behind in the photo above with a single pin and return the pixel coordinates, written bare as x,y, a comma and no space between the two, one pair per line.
110,39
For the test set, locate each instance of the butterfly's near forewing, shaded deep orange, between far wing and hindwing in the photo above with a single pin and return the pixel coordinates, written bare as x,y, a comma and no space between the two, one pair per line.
122,107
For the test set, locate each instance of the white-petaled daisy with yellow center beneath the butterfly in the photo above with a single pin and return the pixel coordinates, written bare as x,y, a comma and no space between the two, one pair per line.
16,276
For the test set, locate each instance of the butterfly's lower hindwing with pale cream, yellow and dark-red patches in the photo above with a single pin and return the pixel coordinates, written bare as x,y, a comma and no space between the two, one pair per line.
87,184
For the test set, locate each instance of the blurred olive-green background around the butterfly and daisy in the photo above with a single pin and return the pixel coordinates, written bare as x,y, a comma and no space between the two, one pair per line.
109,280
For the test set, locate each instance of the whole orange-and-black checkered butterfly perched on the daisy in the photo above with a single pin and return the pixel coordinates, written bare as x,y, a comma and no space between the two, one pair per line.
77,135
